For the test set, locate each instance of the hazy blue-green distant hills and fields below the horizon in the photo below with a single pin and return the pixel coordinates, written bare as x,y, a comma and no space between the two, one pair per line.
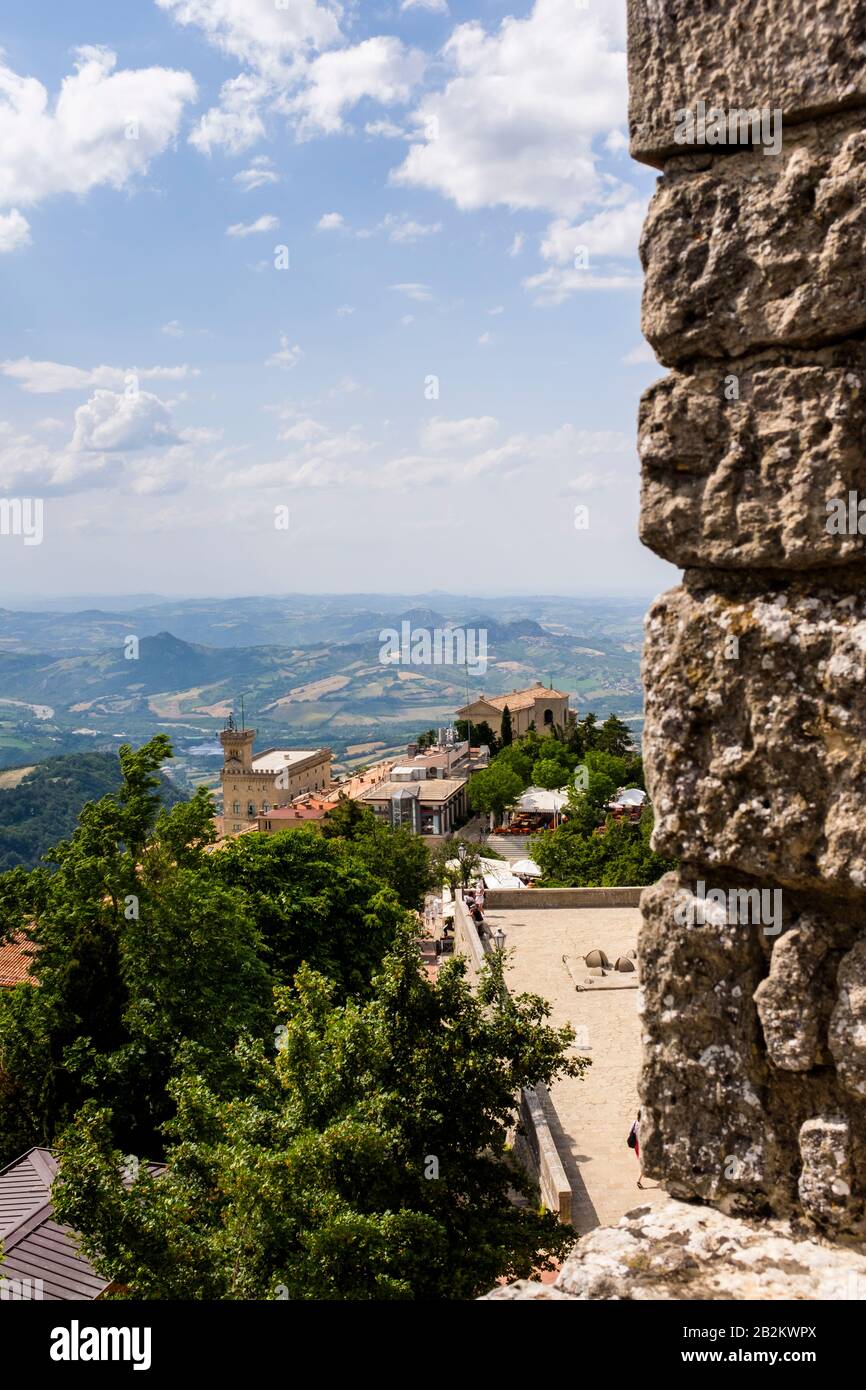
311,669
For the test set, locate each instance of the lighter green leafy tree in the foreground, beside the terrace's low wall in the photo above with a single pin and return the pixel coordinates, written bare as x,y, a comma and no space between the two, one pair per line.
368,1160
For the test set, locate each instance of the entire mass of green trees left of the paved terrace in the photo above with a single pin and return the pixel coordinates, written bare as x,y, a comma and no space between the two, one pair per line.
334,1122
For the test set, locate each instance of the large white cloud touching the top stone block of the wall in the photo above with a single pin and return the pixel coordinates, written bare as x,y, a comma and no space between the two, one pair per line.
516,122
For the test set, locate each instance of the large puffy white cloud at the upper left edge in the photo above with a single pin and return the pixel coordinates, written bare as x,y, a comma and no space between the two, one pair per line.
104,129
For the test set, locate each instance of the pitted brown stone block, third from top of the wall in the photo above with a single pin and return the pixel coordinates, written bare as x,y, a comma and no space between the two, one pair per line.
746,482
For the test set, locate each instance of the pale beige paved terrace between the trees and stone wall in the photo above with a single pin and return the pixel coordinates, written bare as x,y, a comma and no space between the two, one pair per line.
593,1117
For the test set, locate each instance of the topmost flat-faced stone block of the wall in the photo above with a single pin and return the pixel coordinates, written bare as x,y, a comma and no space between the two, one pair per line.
803,59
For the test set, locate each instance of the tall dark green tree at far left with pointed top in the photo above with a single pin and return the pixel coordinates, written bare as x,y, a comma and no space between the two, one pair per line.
136,950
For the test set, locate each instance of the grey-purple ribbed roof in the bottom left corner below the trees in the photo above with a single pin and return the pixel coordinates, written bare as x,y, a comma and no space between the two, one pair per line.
35,1246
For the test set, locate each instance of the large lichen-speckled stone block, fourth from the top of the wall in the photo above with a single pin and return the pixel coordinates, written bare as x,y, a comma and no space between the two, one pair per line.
754,739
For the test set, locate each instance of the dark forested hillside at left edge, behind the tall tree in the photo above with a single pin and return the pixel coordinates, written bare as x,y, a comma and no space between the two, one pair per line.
44,808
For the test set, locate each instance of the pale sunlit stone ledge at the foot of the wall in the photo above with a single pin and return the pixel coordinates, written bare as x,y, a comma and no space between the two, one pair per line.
680,1252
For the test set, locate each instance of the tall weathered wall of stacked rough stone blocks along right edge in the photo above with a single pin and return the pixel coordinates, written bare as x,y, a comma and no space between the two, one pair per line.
754,954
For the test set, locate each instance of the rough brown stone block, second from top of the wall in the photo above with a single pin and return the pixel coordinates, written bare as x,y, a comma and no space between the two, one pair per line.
746,251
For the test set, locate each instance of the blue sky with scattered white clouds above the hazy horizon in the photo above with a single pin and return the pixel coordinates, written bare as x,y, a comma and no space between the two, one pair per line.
451,188
